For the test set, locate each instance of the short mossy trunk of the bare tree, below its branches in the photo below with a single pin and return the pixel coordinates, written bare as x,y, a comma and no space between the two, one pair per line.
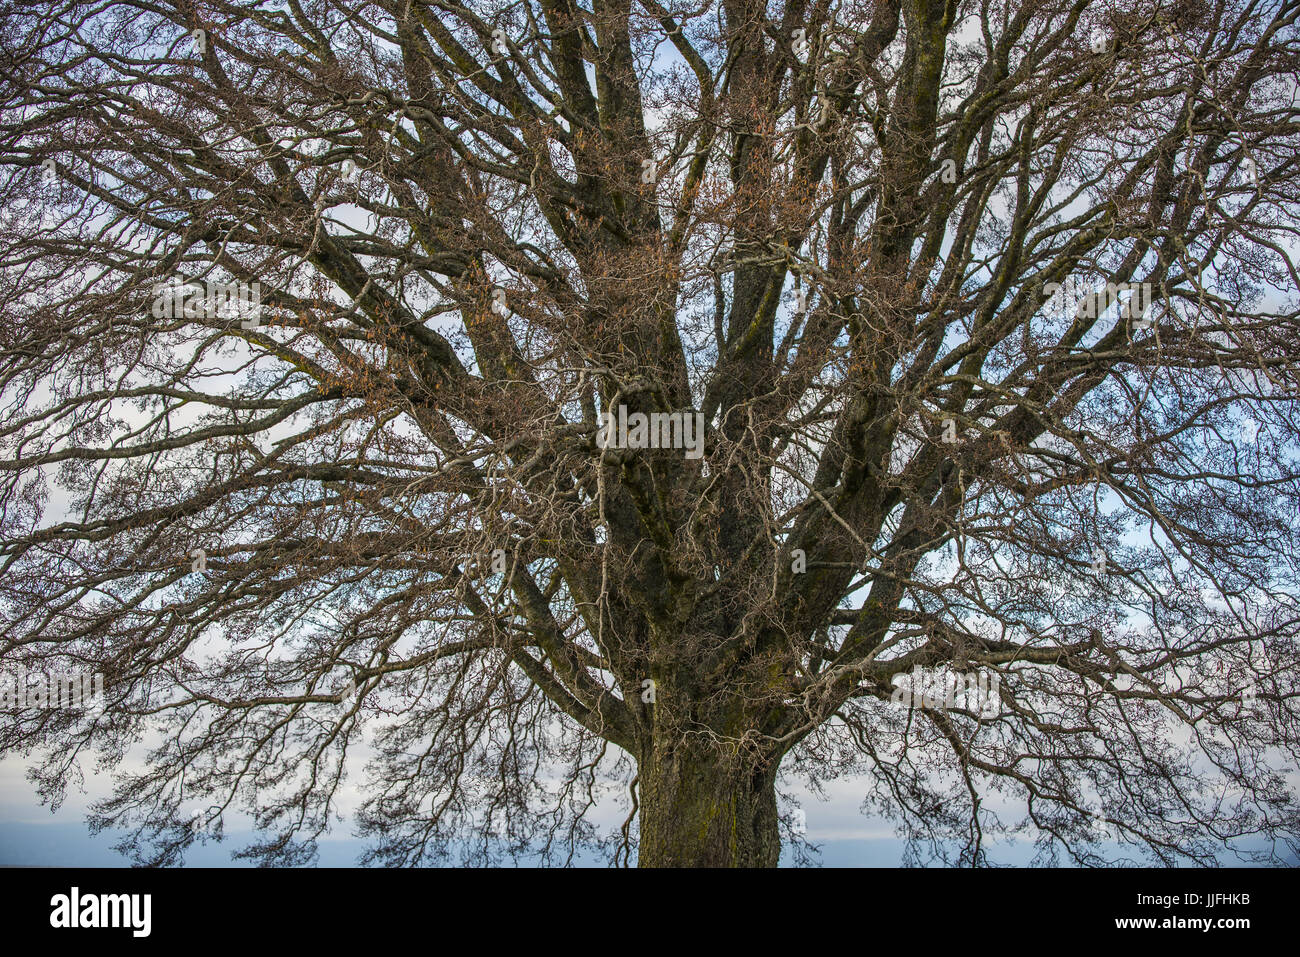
704,809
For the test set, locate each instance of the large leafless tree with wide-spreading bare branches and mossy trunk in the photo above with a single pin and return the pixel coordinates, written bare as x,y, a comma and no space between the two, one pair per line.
356,352
